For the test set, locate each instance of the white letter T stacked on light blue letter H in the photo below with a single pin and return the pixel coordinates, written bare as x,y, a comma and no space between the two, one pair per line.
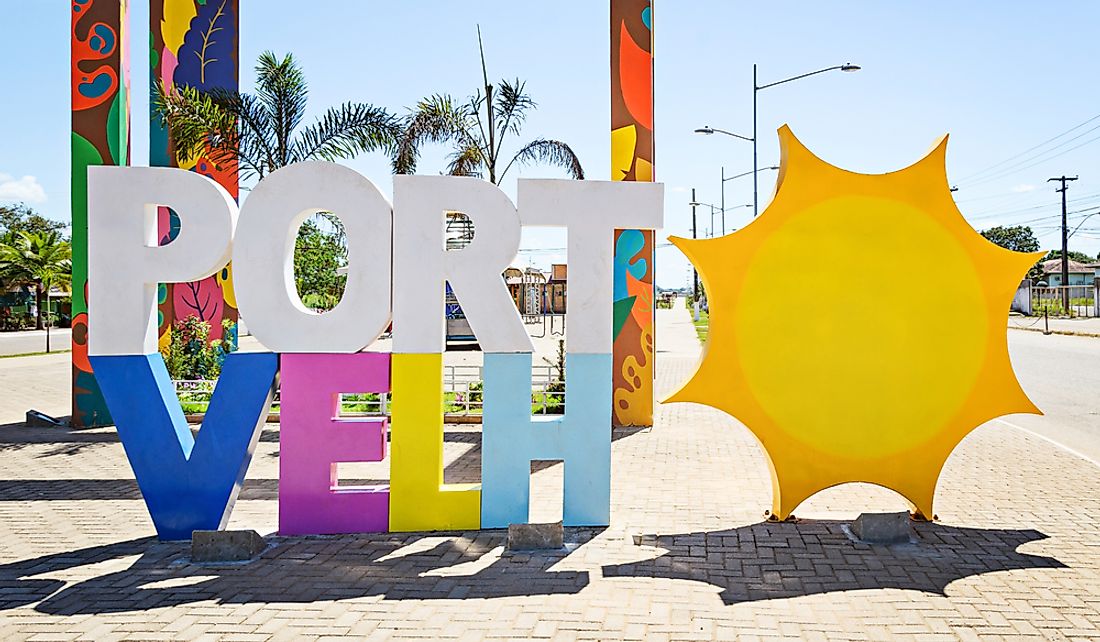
511,440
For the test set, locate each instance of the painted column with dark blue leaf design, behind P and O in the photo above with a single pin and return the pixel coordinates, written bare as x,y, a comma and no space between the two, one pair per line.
195,43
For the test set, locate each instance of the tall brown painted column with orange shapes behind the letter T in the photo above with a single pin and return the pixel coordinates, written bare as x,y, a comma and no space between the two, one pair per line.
633,160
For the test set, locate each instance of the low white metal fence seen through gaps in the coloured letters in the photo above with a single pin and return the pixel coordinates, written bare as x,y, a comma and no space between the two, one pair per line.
463,395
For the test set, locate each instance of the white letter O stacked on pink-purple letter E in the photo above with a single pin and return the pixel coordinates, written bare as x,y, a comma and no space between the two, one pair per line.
314,439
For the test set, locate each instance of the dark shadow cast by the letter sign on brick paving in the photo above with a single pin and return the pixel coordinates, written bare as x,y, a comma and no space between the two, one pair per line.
295,570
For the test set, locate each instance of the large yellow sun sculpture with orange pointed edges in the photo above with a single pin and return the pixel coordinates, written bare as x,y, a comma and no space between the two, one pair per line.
857,328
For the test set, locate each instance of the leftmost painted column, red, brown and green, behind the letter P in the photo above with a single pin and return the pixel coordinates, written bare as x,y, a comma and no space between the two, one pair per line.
101,137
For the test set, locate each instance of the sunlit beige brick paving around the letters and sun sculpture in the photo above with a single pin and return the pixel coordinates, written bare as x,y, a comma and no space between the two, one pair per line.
1016,555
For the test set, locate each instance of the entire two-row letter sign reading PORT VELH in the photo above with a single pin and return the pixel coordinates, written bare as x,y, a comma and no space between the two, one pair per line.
191,484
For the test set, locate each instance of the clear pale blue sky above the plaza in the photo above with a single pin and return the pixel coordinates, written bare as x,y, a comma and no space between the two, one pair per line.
1014,83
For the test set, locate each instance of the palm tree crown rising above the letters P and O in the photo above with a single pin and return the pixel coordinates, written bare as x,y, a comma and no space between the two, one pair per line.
259,134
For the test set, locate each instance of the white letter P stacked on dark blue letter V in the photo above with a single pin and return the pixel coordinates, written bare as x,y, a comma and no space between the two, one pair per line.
189,483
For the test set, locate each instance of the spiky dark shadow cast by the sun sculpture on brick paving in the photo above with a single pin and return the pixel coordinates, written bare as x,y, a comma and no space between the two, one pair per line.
784,560
